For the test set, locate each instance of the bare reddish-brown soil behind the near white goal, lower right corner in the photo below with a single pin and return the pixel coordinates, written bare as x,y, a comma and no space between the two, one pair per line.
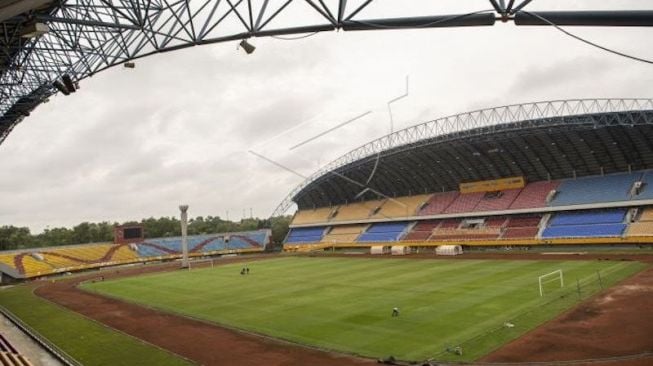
615,323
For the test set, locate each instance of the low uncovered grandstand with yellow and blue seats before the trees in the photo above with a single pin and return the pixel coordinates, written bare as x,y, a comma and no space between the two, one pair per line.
46,261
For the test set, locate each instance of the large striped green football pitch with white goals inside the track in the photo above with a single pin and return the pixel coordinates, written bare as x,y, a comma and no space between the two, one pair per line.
345,304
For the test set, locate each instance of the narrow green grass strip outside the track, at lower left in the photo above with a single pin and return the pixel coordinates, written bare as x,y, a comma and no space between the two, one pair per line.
87,341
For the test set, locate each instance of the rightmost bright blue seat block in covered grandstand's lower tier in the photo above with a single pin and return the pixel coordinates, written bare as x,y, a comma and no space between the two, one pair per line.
608,223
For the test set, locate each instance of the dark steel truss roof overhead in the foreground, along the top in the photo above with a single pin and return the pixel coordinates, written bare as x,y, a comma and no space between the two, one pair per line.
79,38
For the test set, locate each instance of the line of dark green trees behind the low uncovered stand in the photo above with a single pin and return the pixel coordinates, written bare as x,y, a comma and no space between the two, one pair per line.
12,237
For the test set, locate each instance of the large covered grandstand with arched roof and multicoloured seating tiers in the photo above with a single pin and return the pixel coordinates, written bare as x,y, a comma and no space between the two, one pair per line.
564,172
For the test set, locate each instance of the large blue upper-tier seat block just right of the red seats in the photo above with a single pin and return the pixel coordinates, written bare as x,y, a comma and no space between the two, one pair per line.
596,189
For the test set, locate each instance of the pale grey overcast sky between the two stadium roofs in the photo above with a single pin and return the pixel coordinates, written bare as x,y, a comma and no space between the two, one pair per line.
177,128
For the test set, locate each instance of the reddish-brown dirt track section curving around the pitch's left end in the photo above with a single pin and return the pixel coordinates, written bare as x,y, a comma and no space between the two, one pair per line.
200,342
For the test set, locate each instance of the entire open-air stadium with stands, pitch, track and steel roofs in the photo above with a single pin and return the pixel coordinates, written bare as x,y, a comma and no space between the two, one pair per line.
518,234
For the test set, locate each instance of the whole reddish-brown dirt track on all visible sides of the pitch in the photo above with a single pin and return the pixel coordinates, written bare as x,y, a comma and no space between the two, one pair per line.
618,322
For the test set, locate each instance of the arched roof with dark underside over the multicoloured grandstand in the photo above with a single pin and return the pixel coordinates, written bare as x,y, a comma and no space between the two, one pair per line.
540,141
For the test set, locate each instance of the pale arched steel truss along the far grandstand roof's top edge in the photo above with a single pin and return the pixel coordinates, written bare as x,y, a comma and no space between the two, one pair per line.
600,112
